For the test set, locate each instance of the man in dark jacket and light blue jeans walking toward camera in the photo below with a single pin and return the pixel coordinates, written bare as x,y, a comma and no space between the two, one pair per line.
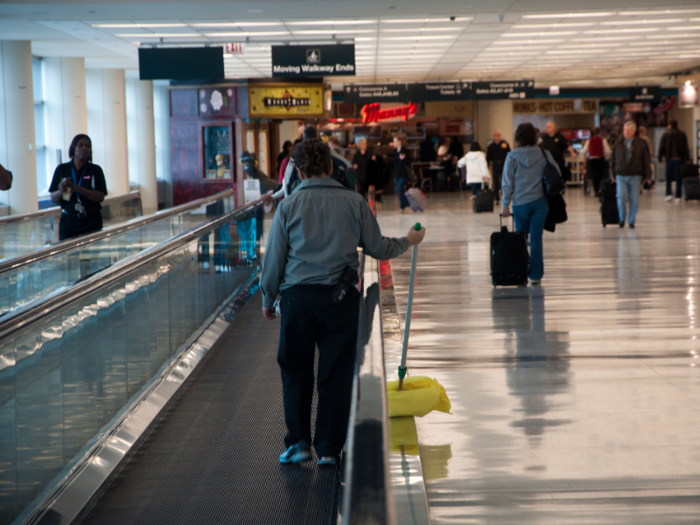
630,162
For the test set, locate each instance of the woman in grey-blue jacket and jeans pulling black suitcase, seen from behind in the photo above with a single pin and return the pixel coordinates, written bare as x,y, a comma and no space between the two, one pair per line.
524,188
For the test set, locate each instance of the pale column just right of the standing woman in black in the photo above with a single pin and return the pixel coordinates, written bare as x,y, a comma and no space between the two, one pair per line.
106,106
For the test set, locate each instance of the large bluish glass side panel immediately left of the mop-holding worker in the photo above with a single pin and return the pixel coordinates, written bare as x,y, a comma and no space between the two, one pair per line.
65,376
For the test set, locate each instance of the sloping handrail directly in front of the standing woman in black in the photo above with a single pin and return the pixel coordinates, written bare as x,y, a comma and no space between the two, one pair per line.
61,247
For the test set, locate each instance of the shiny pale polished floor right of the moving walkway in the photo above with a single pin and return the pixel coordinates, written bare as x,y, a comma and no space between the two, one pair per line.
573,403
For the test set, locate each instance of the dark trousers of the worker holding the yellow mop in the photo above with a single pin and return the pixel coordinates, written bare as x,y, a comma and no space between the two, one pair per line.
310,320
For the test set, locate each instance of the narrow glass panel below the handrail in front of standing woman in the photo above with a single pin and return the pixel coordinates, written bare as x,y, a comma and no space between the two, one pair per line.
36,278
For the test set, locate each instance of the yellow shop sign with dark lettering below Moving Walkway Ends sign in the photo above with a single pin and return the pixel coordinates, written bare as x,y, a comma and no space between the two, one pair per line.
285,101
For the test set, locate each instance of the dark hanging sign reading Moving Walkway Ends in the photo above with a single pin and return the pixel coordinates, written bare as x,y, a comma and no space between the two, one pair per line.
313,61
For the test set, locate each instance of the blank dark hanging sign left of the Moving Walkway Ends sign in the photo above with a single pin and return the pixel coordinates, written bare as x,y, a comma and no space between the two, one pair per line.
187,63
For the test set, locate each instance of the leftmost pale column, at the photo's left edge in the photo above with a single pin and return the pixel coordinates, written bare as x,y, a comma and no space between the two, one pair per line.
17,147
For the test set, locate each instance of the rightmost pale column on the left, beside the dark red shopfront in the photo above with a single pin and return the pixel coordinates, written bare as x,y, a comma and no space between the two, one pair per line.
141,140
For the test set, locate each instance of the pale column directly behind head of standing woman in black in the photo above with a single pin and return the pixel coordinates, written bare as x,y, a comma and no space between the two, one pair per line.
65,106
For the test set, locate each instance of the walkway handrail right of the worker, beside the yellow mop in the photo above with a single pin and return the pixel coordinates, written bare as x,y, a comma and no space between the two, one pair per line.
367,490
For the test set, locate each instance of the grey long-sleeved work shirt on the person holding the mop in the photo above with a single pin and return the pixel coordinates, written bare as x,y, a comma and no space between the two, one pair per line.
315,235
